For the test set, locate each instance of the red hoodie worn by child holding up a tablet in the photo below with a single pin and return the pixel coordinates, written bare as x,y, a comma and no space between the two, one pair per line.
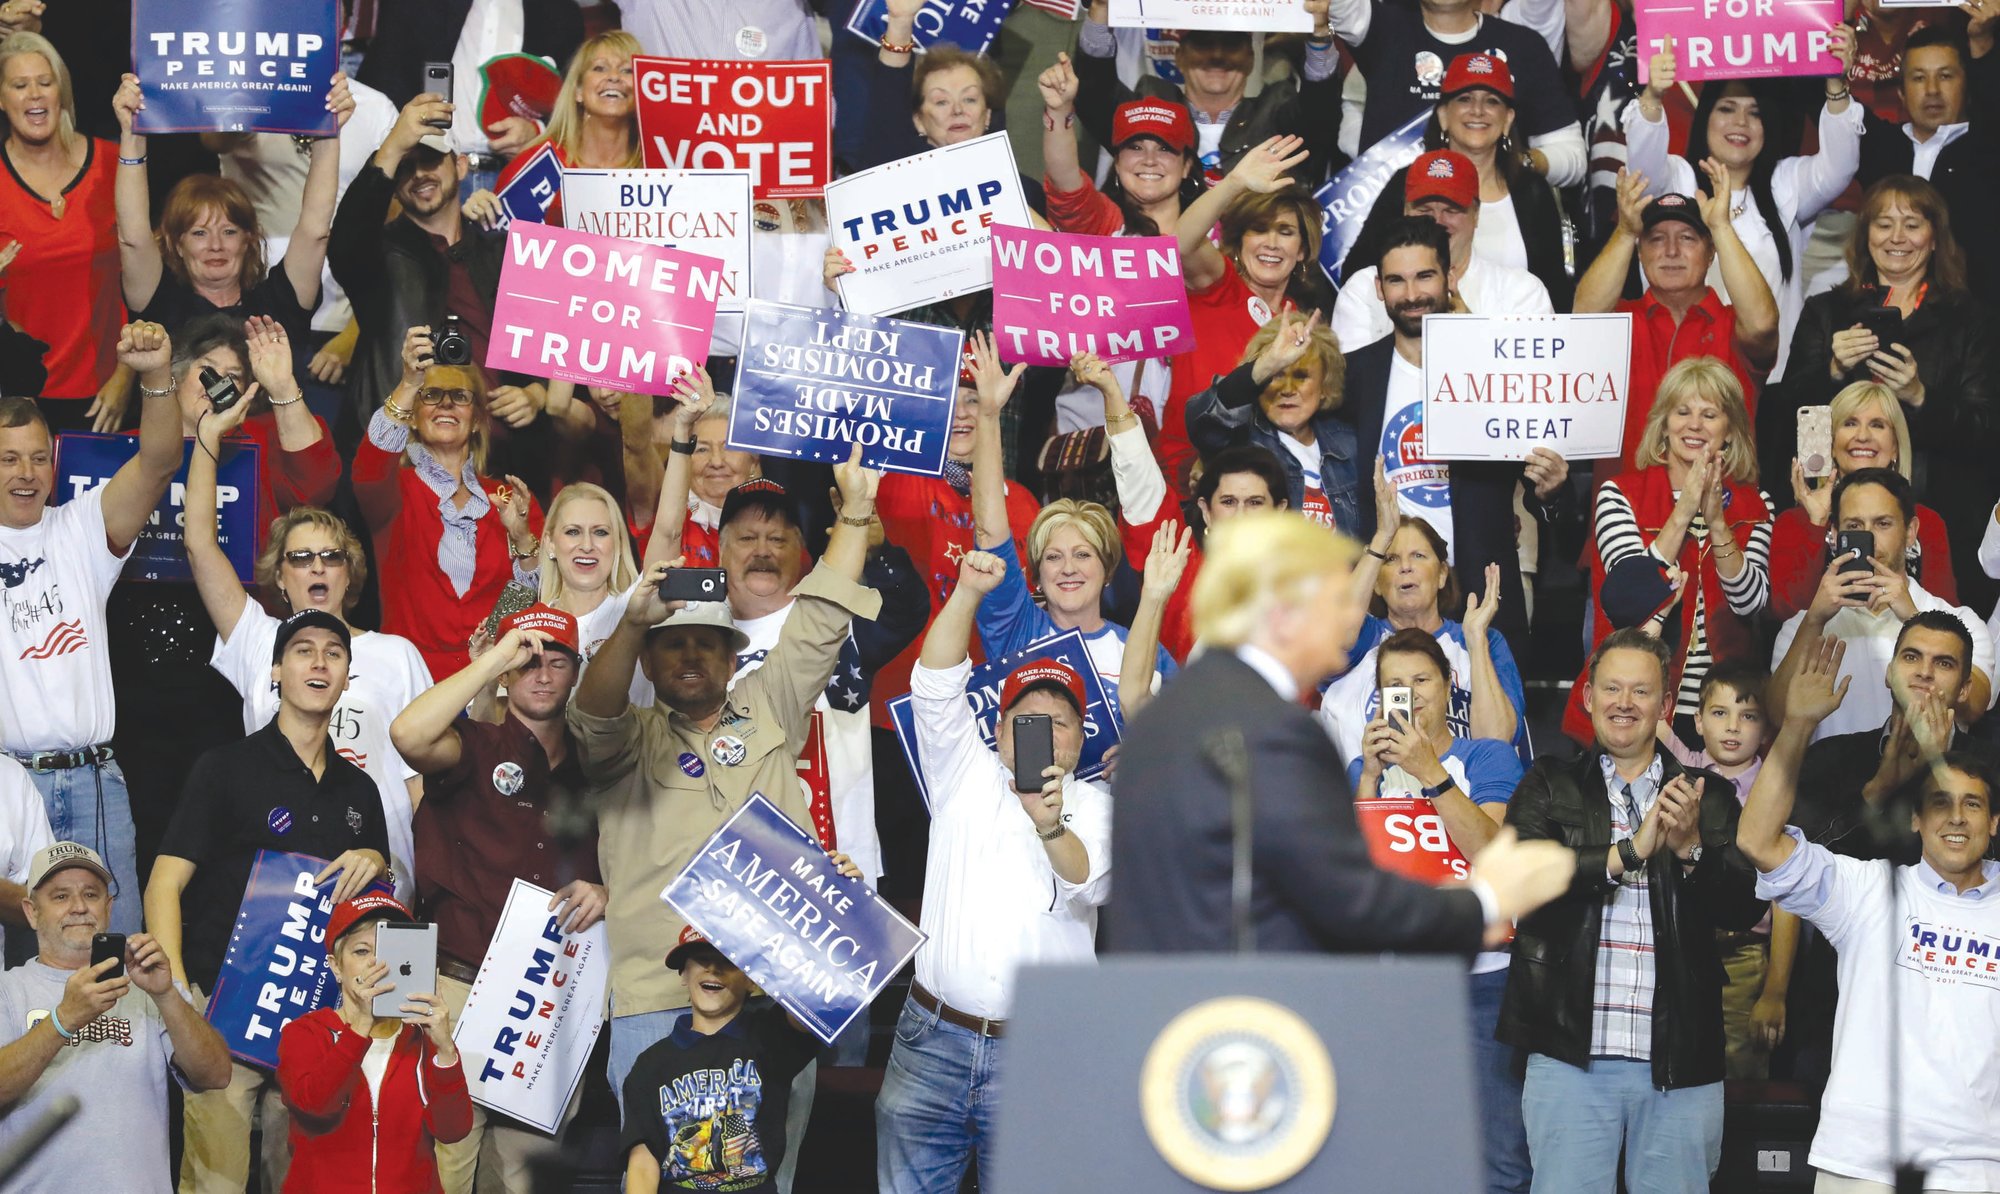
335,1127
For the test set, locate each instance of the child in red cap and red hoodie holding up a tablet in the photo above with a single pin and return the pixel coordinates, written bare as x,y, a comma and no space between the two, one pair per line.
371,1099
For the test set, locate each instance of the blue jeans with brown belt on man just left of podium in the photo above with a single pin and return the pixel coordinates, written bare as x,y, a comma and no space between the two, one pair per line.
937,1107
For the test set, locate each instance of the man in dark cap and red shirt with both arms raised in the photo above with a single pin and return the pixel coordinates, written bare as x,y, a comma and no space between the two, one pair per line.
1679,317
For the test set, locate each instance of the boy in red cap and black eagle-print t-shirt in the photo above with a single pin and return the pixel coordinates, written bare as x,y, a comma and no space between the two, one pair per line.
705,1109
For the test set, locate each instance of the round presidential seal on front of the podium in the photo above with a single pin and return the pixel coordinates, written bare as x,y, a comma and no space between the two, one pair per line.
1237,1093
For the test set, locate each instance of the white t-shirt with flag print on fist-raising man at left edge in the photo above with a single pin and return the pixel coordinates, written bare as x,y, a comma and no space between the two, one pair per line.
55,657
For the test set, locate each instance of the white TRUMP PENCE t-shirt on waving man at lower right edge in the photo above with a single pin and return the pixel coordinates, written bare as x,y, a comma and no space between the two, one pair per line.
1943,953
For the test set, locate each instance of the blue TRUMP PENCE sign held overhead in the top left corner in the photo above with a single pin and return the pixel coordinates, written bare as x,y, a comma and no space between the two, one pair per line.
237,65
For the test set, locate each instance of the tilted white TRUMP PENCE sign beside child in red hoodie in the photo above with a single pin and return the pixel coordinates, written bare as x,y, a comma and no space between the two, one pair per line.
535,1011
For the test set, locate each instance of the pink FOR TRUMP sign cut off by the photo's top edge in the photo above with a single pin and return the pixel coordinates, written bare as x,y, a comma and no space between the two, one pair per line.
1739,39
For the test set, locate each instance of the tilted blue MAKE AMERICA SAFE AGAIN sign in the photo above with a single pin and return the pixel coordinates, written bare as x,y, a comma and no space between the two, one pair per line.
767,895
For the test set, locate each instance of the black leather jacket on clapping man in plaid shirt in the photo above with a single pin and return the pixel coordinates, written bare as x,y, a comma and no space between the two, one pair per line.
1551,987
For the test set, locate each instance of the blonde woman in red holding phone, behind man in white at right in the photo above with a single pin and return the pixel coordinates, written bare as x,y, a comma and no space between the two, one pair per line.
1869,433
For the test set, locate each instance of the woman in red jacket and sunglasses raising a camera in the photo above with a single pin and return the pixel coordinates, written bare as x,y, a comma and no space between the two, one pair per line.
447,539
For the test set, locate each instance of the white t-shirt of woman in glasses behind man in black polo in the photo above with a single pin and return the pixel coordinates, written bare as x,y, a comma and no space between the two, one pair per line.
385,677
